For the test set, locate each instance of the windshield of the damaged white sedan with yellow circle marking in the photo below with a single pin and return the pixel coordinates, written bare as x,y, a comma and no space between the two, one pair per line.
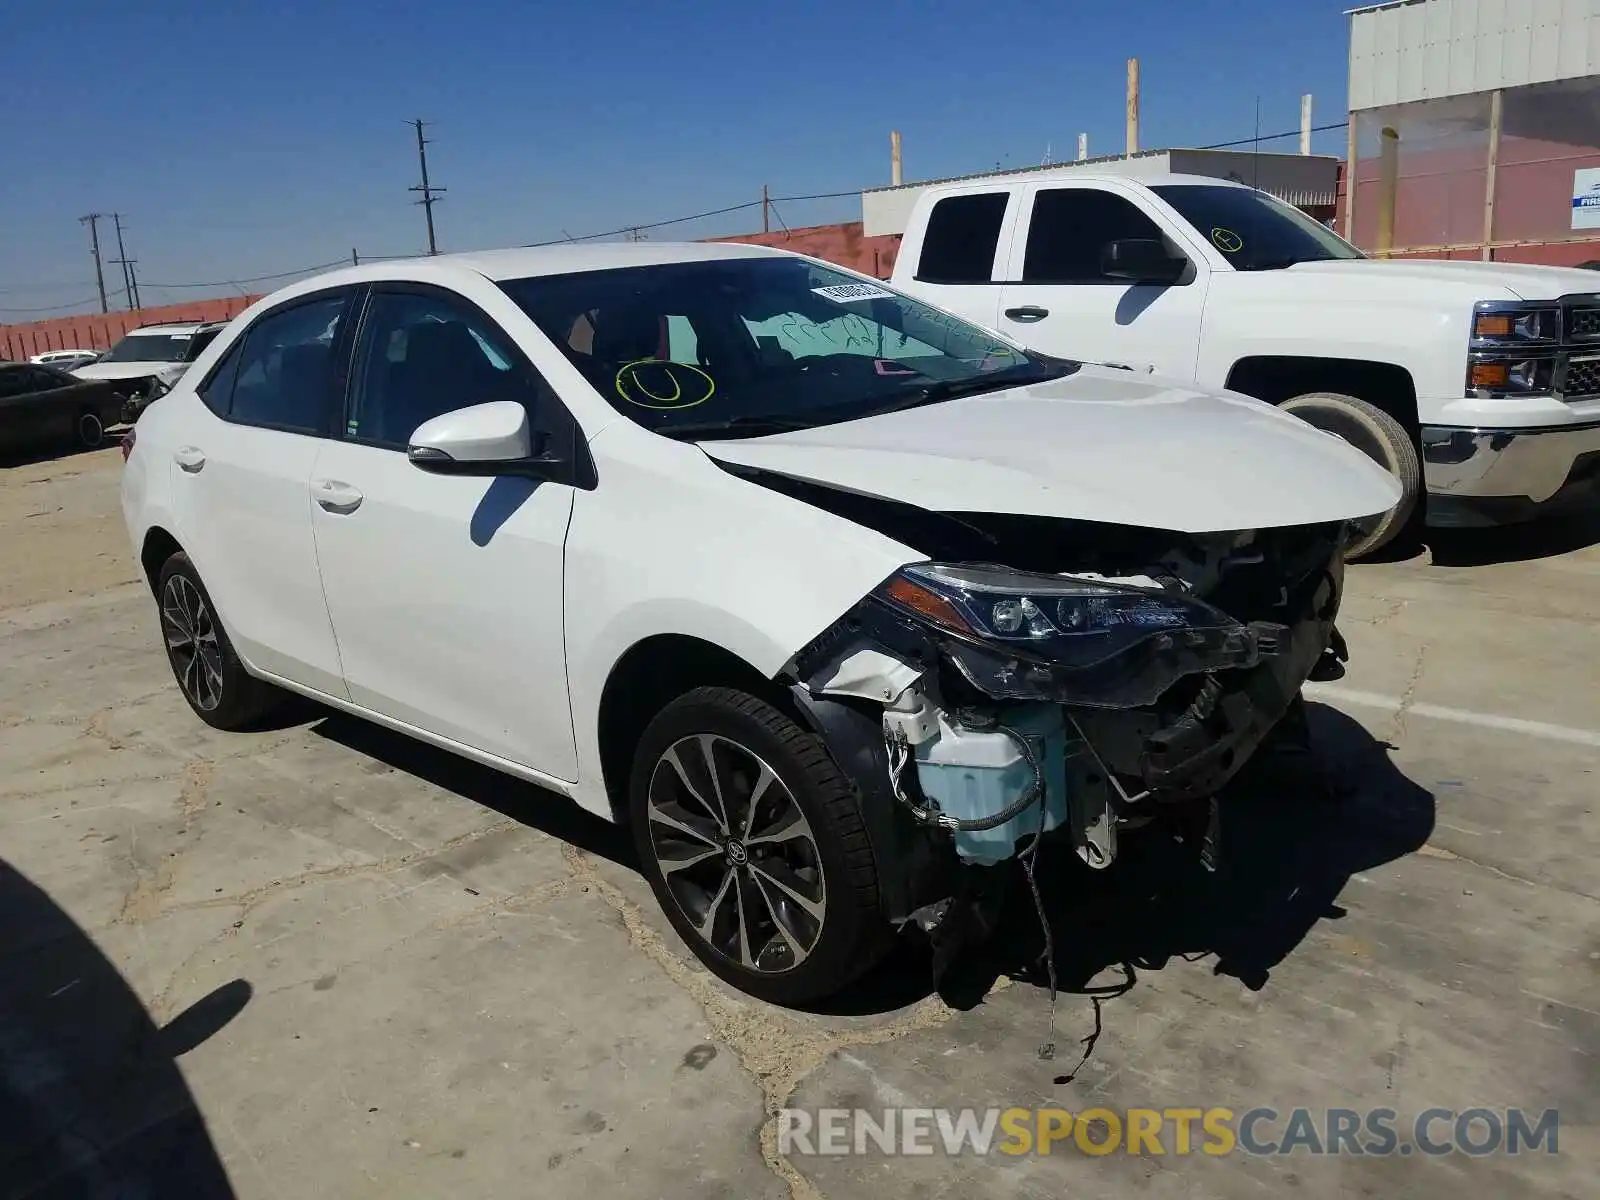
743,346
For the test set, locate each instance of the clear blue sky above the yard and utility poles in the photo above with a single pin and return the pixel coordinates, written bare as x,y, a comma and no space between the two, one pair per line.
247,140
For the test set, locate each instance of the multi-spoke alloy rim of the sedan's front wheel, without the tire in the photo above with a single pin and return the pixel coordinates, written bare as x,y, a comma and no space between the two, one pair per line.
737,854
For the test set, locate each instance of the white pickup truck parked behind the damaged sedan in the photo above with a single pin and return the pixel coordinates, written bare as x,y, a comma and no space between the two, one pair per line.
1478,380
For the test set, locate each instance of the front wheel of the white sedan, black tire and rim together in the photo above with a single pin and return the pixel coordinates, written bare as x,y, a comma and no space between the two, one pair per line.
754,846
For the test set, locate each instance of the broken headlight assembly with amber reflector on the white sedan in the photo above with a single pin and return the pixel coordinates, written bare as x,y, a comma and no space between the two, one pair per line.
1071,639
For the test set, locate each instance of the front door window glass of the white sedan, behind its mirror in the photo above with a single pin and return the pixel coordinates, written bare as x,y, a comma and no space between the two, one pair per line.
425,354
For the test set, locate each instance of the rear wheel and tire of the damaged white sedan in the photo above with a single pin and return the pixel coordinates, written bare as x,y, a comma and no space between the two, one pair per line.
209,673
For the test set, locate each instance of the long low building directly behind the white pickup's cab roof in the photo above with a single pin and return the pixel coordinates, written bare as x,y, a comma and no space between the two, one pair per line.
1306,182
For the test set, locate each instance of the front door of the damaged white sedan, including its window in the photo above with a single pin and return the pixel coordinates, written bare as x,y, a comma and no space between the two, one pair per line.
446,593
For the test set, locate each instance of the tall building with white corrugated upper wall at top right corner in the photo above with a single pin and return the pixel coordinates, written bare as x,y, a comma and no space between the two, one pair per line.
1476,129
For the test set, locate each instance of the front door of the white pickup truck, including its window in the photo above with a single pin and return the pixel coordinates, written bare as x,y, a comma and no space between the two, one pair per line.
1062,303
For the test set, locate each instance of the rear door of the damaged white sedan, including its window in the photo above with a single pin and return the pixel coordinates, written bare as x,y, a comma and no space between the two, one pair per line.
242,486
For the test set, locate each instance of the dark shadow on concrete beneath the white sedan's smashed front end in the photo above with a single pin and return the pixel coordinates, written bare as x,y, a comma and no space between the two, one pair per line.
1292,836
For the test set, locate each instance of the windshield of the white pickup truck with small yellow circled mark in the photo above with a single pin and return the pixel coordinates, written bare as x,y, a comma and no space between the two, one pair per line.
1252,230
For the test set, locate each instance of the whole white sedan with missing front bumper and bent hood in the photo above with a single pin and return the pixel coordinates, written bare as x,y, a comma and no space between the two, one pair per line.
836,599
